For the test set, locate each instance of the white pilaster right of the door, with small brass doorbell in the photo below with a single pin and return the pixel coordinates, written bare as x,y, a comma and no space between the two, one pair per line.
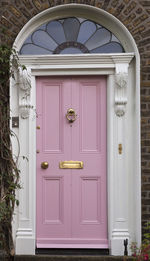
120,230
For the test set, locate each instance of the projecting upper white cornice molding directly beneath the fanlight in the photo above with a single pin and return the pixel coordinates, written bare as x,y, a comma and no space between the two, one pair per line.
76,61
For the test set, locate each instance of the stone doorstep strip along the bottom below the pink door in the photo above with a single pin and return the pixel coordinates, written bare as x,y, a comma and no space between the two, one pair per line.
71,258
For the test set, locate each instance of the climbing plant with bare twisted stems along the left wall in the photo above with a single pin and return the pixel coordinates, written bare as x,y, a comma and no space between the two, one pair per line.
9,172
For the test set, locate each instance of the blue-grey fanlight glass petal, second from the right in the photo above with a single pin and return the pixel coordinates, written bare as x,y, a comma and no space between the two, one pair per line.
101,37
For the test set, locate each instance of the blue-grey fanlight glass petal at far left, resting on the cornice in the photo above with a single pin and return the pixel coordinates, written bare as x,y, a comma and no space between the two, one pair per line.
33,49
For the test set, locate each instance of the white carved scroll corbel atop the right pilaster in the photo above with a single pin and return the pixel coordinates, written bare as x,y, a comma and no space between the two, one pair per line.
121,80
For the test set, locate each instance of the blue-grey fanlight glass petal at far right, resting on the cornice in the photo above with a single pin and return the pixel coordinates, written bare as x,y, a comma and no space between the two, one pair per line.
109,48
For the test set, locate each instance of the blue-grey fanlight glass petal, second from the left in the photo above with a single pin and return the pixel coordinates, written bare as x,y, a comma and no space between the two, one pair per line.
42,39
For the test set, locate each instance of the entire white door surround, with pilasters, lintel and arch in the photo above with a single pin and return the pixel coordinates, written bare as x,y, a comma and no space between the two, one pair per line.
123,120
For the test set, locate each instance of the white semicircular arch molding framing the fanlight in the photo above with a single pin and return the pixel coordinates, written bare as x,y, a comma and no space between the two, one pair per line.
89,12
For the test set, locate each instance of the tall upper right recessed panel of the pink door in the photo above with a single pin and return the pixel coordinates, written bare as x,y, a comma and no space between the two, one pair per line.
89,116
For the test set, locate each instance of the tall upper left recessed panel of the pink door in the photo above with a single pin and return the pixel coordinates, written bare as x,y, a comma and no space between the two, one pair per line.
52,109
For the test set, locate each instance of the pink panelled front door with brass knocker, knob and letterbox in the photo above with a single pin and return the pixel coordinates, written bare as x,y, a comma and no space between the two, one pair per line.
71,202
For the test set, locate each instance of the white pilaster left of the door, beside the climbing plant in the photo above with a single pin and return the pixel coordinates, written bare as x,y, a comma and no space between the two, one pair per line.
25,232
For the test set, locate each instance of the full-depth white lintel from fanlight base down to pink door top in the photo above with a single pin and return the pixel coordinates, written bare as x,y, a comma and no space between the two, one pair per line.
75,65
